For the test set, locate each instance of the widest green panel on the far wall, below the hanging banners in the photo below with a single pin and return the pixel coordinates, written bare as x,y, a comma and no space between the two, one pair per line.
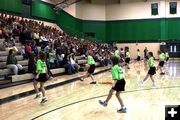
133,30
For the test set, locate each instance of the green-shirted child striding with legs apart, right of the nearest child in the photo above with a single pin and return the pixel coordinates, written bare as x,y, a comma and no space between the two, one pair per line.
152,69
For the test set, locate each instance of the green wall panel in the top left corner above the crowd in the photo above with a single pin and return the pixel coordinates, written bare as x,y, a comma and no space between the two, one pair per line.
11,5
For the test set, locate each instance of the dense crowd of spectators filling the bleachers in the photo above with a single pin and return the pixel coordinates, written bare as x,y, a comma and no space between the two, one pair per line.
59,47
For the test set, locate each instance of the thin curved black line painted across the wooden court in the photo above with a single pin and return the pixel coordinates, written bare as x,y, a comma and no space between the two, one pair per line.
99,97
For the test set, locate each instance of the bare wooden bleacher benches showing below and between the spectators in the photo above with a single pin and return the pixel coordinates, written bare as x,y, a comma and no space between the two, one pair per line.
8,77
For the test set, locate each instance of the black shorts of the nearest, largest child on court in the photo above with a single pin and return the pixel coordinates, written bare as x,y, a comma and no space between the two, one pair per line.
120,85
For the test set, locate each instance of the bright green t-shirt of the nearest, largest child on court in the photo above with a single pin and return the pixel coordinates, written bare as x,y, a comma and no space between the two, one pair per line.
117,73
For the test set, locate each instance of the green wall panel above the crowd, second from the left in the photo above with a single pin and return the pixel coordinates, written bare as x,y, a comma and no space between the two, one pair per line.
43,10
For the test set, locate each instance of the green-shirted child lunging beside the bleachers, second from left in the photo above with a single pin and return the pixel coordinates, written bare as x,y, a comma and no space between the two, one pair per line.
91,63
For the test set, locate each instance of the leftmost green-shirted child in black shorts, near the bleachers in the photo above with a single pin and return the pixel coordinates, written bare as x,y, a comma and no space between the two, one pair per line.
41,76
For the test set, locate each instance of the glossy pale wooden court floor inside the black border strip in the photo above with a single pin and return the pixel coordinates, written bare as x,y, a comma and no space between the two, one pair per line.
79,100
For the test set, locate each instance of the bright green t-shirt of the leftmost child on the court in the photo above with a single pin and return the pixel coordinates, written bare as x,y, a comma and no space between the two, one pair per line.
41,66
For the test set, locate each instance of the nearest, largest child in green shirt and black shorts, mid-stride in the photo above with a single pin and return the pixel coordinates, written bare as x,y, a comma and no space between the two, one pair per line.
118,85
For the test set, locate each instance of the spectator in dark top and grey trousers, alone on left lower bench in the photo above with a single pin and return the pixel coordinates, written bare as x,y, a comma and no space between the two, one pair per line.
12,63
